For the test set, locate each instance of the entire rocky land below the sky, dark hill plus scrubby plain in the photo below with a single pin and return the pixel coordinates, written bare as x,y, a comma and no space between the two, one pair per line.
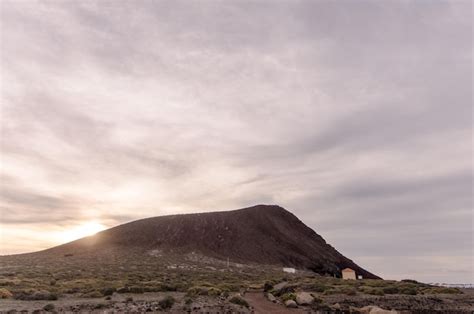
225,262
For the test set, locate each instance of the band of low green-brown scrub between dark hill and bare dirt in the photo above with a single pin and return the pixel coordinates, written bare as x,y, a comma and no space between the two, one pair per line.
84,277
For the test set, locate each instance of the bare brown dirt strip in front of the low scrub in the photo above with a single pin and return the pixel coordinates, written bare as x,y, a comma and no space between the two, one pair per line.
258,304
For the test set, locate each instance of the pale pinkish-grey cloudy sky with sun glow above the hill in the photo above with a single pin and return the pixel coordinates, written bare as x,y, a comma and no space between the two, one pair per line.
354,115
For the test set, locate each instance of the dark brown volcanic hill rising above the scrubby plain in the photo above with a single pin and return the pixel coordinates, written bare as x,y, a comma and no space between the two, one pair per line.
261,234
